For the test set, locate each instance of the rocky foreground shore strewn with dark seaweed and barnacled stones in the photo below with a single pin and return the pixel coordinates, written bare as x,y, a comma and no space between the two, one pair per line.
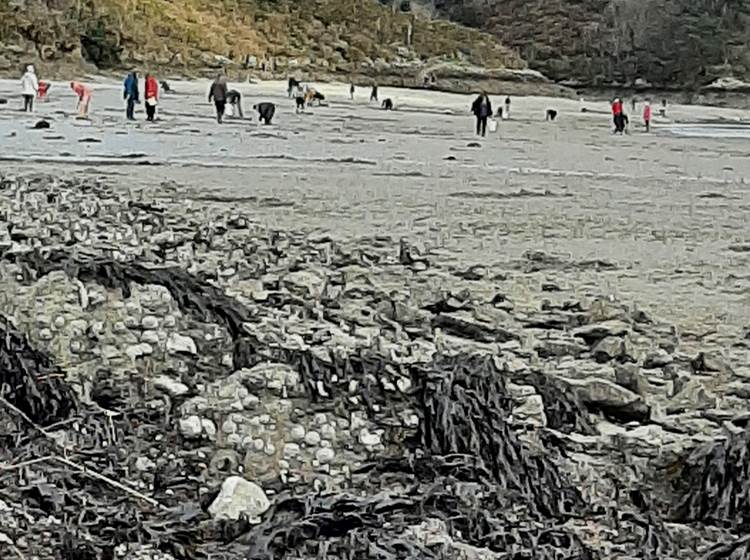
182,382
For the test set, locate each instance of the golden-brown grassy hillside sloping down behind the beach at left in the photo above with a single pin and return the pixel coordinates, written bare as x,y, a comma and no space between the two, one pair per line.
338,36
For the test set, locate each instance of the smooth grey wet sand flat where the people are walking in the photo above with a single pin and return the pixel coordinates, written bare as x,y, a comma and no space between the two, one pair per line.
655,220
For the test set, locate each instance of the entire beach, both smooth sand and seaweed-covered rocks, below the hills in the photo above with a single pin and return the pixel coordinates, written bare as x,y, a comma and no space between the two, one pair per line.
362,333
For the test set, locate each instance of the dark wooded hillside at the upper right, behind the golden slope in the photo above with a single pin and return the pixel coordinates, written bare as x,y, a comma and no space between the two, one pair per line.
600,42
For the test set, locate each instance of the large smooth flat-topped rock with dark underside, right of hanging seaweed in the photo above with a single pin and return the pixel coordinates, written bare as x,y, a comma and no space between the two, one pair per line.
604,396
